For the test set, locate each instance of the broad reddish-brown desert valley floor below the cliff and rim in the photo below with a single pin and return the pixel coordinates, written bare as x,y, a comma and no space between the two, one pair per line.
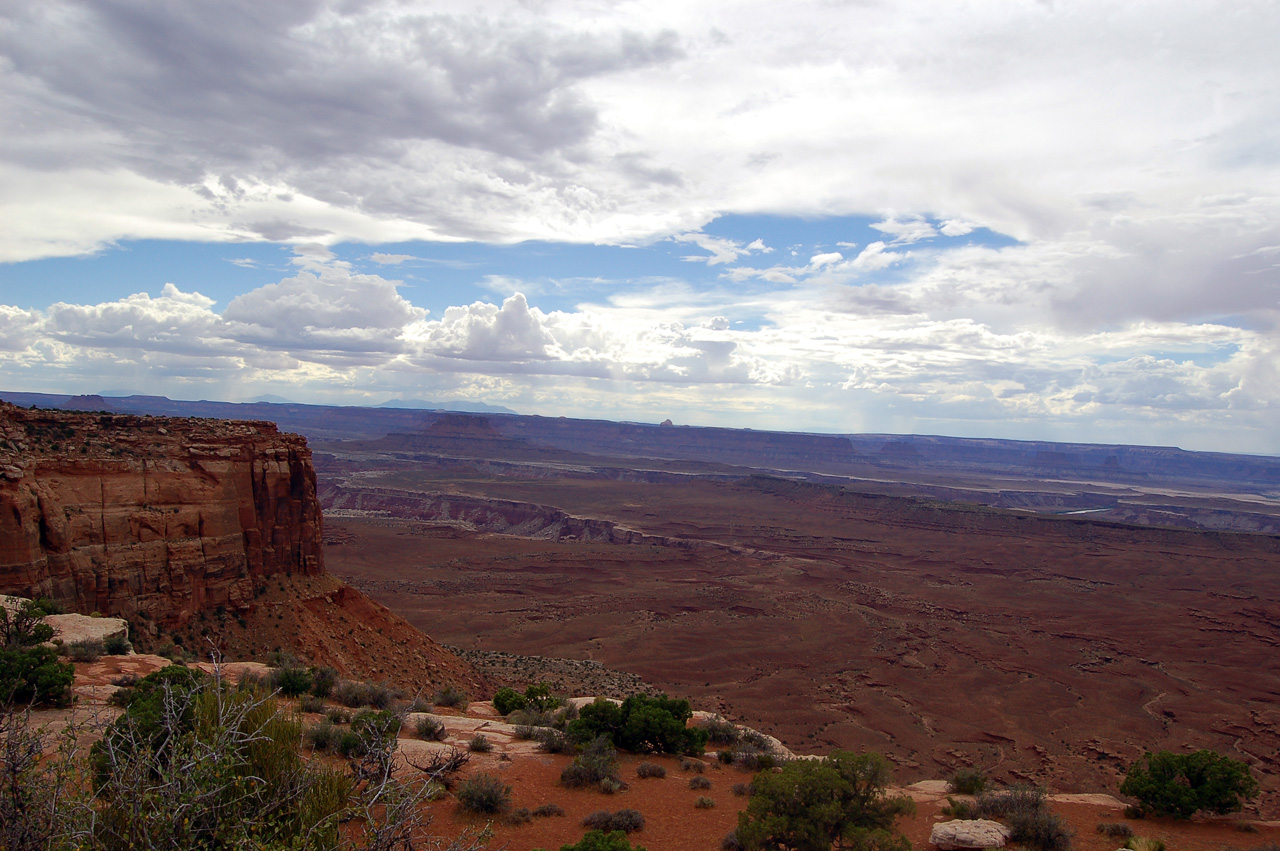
1046,651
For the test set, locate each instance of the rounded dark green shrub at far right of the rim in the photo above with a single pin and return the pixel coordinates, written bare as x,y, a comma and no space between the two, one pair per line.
1181,785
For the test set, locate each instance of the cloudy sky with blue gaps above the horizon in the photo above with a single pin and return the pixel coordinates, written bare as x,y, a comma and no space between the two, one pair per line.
1002,219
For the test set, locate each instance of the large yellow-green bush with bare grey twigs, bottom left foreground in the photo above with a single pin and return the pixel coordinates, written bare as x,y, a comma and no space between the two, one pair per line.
193,763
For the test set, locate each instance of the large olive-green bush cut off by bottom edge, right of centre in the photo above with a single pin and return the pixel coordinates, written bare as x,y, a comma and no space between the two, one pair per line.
812,804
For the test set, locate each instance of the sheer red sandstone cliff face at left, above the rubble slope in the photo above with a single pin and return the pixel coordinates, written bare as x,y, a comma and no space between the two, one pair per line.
152,518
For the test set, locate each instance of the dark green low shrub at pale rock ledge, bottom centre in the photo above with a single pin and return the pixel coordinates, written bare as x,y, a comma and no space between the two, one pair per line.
641,725
